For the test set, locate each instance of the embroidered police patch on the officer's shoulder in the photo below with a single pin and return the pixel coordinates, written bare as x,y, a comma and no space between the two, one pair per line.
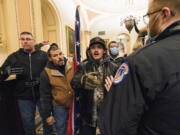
122,71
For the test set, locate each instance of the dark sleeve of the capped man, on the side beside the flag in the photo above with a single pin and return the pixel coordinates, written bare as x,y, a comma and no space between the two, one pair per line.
76,80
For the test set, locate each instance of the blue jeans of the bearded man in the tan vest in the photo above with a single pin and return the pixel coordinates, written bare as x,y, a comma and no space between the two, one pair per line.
60,116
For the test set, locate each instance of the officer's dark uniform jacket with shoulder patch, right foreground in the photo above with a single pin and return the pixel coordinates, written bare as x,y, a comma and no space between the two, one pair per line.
145,96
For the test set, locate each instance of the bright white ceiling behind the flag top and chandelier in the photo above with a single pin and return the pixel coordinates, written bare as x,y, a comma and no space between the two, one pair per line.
107,13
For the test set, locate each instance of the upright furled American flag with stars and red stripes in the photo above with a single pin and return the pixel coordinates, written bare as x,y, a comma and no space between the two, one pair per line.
73,119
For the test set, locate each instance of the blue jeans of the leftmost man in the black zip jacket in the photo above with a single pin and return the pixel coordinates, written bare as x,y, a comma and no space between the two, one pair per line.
27,110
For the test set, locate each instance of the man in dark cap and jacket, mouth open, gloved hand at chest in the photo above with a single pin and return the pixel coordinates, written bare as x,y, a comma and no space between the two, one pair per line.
89,81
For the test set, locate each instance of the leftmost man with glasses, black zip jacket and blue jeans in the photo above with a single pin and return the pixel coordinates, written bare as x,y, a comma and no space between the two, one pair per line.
31,62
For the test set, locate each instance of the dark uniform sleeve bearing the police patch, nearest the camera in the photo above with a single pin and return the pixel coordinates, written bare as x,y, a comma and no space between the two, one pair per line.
123,105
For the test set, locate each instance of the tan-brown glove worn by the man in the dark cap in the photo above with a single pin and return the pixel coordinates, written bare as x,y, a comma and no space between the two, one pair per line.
91,80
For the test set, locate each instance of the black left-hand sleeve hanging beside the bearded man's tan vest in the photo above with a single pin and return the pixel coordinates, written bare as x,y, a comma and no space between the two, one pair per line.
45,95
